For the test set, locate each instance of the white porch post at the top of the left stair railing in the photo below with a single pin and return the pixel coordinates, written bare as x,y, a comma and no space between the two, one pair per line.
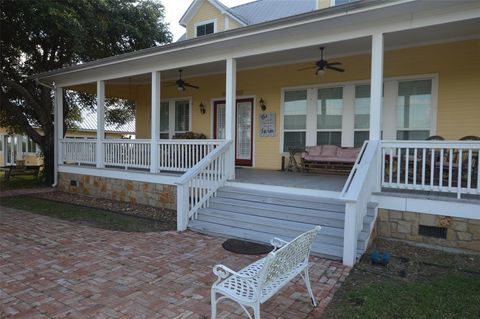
230,101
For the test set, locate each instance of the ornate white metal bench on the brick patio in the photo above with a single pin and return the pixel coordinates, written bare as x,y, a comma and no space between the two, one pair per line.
256,283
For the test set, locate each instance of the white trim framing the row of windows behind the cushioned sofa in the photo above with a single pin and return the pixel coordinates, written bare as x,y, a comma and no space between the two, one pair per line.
389,111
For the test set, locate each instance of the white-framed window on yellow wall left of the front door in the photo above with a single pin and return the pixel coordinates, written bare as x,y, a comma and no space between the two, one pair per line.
174,117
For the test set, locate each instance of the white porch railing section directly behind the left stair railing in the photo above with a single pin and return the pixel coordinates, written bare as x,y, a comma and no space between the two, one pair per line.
181,155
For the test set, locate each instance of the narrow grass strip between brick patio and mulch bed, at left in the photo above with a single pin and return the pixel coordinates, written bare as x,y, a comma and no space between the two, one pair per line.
83,215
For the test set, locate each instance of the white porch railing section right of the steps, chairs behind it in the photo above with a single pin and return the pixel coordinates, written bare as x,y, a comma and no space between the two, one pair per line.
435,166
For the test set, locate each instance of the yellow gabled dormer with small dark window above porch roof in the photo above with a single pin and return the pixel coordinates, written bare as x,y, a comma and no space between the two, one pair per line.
205,17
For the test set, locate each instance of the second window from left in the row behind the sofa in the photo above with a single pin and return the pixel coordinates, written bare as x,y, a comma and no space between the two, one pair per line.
329,116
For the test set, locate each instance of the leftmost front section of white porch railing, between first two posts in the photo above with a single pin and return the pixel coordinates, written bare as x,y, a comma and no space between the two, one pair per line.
78,151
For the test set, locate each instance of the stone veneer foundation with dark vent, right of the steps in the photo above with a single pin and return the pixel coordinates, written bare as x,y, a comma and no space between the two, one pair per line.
462,233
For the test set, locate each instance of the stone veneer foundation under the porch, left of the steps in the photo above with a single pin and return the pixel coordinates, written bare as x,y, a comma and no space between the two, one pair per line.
156,195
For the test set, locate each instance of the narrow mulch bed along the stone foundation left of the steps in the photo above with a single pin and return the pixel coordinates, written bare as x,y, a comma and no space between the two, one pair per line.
143,211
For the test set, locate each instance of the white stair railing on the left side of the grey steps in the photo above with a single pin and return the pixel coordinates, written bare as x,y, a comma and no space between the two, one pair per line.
200,183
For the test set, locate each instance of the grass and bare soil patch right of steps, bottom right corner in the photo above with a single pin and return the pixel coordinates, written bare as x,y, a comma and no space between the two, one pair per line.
420,284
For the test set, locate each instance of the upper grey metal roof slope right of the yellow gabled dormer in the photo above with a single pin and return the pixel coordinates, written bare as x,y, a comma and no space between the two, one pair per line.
267,10
